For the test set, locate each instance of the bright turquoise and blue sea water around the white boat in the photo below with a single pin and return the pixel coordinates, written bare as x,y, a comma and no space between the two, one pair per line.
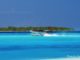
24,46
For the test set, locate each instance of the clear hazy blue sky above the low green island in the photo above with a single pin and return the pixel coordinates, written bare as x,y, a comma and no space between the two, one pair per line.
59,13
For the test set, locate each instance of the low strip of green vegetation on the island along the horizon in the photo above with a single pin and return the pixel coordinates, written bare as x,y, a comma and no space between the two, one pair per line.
25,29
